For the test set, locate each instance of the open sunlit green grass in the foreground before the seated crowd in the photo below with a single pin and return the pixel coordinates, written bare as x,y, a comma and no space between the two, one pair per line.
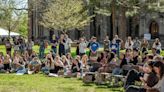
41,83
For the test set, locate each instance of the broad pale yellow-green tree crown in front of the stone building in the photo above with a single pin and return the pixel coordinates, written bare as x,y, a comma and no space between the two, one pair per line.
65,15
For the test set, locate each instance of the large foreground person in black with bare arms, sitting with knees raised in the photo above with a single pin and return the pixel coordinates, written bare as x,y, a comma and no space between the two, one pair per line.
148,78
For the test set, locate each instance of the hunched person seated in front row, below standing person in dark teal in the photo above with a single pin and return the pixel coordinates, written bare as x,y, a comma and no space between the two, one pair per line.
34,66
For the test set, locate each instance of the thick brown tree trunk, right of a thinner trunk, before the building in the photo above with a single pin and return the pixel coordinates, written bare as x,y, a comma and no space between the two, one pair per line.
122,24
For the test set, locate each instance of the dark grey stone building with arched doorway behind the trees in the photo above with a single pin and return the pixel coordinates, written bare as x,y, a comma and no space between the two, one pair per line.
137,26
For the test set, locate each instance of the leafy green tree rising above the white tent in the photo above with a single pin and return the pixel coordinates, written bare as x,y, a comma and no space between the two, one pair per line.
10,16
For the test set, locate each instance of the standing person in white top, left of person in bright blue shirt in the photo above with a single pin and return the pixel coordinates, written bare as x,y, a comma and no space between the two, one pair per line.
82,47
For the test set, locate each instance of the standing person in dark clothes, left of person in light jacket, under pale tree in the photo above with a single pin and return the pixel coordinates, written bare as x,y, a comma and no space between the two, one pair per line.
62,45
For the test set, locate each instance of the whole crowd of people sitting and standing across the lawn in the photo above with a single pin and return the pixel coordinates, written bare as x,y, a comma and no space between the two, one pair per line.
150,69
